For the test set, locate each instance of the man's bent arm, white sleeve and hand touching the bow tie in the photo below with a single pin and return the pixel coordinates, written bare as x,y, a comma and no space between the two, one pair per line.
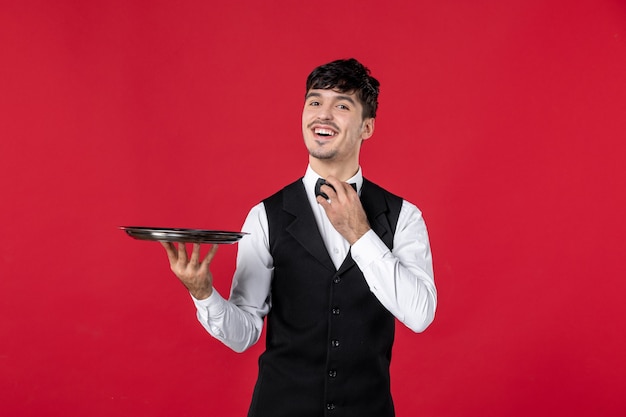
403,279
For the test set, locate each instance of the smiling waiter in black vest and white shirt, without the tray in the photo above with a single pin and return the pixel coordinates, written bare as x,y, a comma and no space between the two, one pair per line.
328,264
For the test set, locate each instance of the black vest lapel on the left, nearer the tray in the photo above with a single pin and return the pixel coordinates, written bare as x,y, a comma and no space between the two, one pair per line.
303,227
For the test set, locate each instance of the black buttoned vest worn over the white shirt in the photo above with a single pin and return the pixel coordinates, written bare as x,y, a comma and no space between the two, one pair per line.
329,340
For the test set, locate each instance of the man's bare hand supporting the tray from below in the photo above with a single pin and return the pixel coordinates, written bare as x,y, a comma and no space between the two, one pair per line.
193,273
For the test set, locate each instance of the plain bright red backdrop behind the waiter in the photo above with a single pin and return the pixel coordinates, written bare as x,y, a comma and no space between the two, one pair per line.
503,121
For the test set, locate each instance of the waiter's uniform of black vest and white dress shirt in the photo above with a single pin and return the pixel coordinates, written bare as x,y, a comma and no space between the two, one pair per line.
329,306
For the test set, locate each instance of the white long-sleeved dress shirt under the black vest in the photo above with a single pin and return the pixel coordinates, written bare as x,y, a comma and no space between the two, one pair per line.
401,279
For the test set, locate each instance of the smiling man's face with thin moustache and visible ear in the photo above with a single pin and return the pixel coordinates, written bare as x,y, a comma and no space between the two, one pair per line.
333,126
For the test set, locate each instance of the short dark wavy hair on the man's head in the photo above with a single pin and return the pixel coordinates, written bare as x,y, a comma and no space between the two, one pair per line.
347,76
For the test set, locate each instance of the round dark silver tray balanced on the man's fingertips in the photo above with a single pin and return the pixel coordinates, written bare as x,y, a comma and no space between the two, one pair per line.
165,234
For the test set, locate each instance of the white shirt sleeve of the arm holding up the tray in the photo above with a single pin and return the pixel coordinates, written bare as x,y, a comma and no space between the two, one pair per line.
238,321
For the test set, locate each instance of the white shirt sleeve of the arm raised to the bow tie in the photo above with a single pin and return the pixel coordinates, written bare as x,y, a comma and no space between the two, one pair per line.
401,279
